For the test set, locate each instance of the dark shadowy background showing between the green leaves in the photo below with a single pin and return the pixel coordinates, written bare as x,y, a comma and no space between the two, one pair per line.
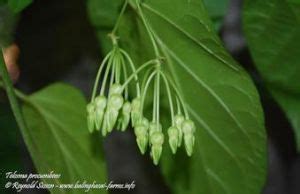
57,43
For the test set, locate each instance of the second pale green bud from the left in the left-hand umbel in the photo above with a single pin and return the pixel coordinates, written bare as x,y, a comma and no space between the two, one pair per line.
100,104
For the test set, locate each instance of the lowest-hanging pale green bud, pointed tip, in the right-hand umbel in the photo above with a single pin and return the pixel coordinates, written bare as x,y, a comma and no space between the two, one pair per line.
157,140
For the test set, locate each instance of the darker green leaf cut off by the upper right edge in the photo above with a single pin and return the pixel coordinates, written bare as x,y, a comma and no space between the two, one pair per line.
273,32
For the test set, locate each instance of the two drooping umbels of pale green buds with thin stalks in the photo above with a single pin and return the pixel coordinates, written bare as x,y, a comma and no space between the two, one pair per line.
113,109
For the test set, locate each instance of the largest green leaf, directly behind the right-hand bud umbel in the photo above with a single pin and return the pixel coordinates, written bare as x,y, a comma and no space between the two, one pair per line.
230,150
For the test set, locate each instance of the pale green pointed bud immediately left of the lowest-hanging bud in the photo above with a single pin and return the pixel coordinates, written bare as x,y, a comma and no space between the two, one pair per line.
141,132
